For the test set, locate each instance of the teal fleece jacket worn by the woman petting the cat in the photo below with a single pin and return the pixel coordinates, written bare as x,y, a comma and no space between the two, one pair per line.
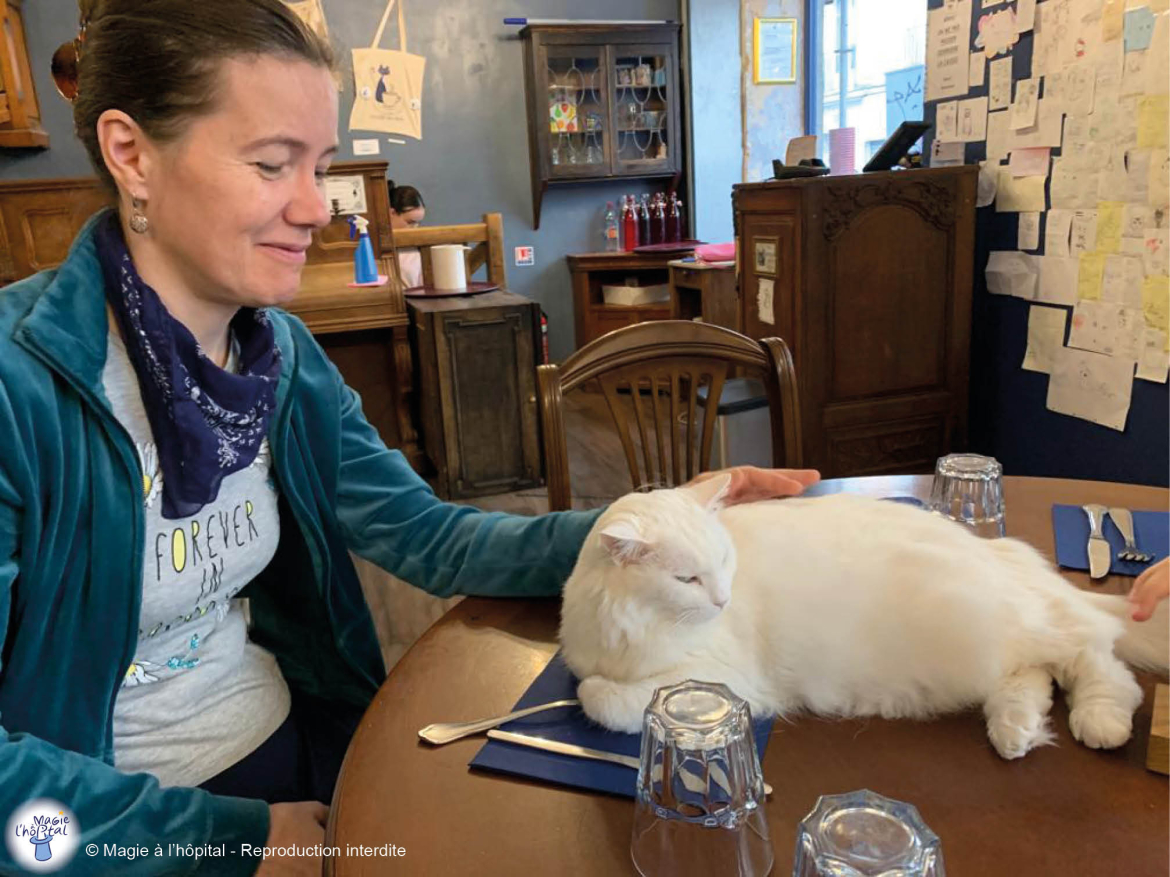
72,530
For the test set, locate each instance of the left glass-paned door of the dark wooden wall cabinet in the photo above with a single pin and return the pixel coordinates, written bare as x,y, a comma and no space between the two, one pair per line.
579,125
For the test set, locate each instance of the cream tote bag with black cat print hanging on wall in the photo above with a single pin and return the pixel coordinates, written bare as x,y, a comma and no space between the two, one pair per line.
388,86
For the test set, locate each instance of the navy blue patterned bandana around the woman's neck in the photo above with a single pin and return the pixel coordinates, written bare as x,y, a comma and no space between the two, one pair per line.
207,423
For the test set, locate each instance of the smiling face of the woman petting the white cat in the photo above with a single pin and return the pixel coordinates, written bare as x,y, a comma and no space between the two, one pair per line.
233,203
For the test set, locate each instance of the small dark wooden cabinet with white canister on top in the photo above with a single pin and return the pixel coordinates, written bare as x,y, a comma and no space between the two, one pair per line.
477,372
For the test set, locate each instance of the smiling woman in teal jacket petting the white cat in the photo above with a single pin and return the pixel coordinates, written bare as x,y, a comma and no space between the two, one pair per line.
167,440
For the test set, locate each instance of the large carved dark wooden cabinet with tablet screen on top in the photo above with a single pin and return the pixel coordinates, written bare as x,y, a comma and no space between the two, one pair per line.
869,280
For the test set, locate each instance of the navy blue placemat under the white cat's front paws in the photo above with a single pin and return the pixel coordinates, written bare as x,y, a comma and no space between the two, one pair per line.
572,726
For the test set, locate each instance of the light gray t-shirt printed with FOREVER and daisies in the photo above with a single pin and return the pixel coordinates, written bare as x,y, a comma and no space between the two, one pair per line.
199,696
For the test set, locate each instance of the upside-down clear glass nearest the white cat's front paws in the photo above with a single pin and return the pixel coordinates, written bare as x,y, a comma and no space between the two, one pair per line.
700,806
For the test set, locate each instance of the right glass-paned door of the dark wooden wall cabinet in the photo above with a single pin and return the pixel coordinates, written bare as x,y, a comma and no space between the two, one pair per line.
644,111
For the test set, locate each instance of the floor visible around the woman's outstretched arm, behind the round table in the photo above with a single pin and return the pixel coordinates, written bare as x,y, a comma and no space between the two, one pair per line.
598,475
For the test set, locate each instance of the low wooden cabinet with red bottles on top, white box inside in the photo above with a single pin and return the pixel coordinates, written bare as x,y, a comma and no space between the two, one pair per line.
593,317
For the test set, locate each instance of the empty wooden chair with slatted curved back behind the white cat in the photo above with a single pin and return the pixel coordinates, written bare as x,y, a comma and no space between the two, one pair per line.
651,375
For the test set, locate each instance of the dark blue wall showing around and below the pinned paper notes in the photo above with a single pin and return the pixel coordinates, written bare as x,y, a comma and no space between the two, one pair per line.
1009,418
